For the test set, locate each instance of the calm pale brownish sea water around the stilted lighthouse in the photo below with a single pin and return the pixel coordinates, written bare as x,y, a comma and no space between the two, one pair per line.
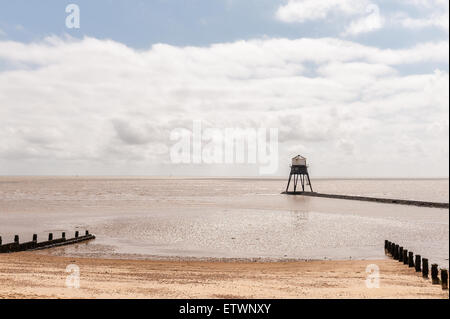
225,218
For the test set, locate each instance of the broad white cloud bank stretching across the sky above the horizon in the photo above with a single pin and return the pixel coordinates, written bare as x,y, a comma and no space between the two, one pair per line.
68,105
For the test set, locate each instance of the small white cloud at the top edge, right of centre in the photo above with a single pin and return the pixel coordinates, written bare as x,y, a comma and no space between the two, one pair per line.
304,10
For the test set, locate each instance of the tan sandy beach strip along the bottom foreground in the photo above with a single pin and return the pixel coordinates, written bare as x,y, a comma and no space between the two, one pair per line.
29,275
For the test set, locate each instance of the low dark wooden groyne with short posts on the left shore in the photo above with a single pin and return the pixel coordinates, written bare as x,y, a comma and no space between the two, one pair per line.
16,246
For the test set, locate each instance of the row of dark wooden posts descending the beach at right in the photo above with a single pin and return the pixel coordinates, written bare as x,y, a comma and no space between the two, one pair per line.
420,264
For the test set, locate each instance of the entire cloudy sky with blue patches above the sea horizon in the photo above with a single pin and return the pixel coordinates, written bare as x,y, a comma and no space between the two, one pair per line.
358,87
